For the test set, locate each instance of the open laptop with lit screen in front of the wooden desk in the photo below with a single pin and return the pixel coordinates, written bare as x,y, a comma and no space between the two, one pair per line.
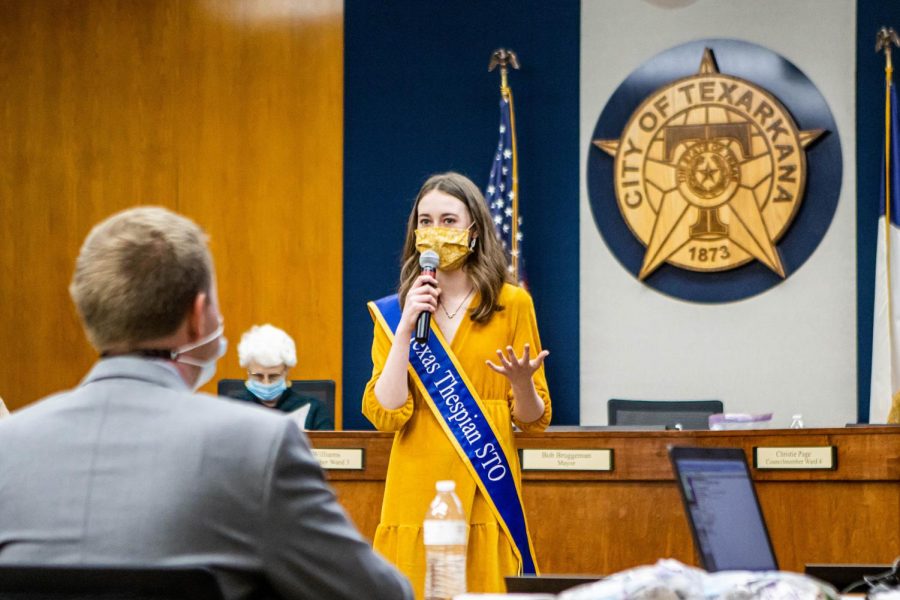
722,509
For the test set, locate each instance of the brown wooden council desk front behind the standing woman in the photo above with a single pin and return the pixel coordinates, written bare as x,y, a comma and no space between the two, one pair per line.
603,522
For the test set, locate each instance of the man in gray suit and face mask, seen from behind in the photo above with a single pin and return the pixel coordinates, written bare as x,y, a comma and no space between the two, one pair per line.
134,467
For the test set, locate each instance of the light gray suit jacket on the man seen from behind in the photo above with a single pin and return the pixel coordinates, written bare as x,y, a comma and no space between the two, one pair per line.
132,467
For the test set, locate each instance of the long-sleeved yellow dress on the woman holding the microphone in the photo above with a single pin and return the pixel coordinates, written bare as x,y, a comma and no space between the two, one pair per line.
422,455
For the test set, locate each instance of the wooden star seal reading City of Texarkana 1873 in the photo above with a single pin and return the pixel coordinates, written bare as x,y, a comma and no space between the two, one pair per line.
709,172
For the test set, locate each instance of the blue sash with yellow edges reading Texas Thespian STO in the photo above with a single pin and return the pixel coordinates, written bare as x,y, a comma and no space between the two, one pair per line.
457,407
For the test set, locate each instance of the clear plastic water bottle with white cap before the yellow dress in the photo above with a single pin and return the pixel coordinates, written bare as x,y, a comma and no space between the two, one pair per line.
445,545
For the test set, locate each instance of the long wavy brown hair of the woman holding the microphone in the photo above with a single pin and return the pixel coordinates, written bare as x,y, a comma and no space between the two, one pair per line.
486,265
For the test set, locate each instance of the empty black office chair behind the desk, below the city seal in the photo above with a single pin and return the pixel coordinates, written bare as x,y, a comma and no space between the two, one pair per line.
674,414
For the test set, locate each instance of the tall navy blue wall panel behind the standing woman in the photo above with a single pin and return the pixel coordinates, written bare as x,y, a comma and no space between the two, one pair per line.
418,99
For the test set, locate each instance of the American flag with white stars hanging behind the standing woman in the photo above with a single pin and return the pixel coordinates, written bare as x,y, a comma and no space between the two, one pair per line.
503,187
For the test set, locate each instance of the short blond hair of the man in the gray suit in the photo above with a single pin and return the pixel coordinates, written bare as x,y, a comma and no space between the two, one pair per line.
137,276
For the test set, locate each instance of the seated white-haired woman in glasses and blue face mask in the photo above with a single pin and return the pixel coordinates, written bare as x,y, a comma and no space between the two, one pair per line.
268,354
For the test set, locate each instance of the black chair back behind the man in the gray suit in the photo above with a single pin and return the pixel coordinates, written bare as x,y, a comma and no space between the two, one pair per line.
97,582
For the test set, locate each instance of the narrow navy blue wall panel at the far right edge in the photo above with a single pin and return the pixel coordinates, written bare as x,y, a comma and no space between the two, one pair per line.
871,16
